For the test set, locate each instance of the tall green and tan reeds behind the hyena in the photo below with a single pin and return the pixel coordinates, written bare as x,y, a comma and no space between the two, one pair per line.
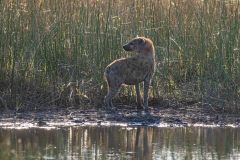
45,44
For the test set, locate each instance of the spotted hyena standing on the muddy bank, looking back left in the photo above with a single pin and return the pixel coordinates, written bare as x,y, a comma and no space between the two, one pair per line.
132,70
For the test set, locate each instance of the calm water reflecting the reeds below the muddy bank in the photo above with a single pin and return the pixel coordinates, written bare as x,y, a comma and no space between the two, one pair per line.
120,143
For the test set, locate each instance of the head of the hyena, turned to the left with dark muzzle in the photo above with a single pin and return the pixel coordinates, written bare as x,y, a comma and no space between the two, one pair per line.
139,44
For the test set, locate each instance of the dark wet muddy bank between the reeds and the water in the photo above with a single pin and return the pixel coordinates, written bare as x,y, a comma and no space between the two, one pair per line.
121,115
